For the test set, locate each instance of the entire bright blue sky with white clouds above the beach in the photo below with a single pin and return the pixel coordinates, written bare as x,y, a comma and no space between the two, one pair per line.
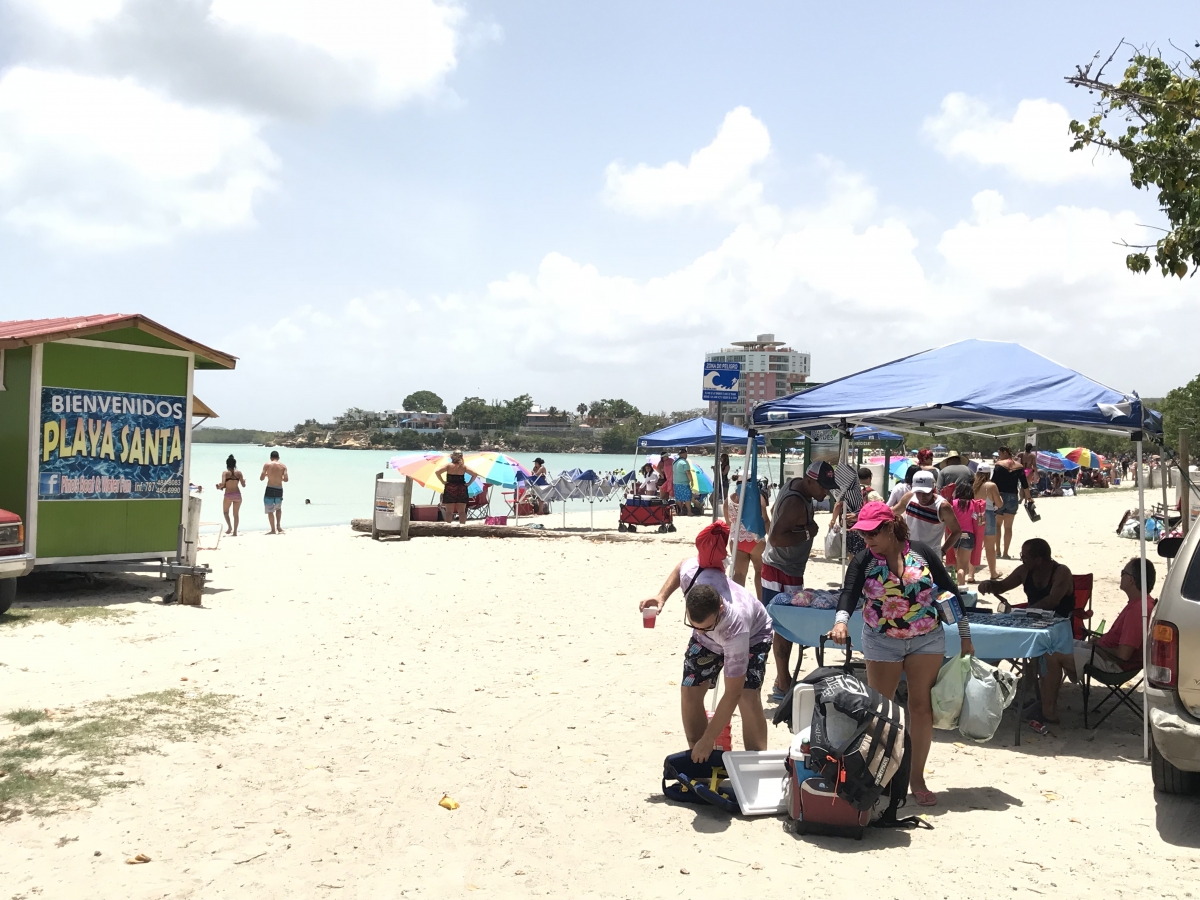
364,199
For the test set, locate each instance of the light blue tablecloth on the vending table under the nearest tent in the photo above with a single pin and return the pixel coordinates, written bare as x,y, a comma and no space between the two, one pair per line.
805,626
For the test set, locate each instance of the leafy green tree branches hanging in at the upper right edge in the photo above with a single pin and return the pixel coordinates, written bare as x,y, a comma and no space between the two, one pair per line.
1159,107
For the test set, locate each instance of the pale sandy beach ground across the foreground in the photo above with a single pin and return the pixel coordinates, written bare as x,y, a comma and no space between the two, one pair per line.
369,680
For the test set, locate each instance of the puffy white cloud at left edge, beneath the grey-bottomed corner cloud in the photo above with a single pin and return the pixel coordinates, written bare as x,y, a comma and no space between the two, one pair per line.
109,164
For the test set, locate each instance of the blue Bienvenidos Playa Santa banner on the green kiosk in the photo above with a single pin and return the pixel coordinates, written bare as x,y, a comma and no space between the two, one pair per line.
107,446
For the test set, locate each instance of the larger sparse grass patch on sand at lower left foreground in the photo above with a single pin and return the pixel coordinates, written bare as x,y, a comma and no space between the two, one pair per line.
67,761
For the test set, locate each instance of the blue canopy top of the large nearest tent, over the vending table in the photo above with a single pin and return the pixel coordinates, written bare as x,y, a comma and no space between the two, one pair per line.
983,382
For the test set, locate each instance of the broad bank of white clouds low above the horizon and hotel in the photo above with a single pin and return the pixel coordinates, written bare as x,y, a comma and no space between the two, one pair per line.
841,278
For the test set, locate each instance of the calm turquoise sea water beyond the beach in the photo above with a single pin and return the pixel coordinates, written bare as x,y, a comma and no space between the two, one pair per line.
340,483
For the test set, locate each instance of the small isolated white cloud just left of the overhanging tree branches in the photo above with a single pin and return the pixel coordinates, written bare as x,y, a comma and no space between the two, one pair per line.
1034,146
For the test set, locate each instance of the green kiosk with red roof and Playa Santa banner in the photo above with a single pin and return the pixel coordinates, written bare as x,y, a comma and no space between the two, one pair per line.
95,446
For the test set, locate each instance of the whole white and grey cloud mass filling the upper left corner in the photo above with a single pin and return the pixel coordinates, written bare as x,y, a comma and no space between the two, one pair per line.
135,122
